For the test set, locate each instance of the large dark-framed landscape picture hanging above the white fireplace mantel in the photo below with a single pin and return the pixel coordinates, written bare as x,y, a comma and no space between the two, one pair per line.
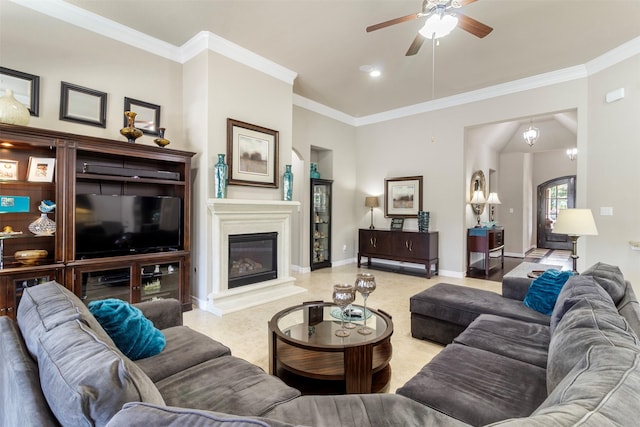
252,153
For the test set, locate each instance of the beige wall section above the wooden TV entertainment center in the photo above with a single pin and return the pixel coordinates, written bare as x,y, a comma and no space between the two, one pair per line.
54,51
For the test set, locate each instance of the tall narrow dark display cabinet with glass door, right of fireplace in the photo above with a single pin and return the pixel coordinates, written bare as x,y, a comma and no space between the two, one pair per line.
320,223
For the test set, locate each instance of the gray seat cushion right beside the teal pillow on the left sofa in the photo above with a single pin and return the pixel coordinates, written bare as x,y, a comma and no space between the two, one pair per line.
174,358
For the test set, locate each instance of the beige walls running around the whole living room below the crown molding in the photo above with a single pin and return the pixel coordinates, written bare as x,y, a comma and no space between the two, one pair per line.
197,98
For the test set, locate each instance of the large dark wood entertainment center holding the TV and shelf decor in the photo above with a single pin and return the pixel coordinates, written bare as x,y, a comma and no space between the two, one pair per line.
122,216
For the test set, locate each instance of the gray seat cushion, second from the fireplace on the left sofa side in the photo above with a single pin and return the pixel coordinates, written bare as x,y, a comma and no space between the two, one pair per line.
226,384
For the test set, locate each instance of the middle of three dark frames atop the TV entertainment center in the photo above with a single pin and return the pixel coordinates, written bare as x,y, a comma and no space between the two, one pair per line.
83,105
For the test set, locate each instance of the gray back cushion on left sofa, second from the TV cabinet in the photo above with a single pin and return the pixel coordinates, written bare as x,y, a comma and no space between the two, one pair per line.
85,380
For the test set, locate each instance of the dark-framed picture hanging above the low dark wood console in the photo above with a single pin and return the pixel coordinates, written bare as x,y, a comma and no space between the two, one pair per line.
403,197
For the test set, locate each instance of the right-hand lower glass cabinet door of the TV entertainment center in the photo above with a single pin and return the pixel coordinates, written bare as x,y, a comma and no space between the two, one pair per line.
160,281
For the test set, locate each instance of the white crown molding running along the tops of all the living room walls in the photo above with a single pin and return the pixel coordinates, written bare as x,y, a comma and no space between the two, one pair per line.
208,41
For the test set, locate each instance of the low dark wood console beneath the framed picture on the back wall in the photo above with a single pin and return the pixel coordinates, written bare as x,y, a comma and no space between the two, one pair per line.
408,246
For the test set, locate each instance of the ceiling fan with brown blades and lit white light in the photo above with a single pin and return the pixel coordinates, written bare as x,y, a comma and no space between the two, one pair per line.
441,20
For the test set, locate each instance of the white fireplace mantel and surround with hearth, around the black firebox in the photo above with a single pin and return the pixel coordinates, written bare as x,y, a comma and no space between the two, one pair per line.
237,216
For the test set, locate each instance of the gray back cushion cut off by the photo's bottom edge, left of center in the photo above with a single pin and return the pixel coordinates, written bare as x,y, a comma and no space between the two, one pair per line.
143,415
